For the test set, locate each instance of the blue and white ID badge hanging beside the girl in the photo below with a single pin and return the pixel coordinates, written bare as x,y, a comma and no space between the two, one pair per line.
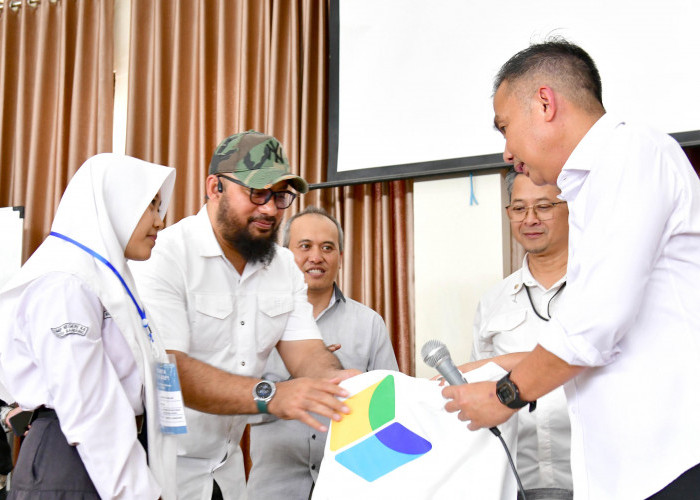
171,409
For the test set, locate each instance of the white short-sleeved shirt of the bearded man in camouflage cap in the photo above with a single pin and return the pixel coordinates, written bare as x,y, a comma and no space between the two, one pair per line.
205,308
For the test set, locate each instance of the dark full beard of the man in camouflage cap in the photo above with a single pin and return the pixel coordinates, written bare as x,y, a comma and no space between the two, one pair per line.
252,249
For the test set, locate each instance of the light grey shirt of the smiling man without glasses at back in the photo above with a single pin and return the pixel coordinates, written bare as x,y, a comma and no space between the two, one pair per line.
286,454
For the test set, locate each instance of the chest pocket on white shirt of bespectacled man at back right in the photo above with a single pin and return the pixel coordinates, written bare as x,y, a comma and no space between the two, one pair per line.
511,332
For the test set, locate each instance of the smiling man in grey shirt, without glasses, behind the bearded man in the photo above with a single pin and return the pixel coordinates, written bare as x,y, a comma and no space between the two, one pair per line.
286,454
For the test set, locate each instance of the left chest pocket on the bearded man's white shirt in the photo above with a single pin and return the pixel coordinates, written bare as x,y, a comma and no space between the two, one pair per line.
212,321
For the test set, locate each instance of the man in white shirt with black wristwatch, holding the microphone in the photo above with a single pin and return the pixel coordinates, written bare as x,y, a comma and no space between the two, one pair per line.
626,338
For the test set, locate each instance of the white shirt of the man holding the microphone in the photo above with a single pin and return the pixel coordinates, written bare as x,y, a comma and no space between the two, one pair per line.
630,312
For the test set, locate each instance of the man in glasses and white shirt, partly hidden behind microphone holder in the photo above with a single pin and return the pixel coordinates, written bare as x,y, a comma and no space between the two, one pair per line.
508,318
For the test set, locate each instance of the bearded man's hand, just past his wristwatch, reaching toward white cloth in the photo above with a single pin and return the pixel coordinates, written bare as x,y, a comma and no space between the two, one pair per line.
296,398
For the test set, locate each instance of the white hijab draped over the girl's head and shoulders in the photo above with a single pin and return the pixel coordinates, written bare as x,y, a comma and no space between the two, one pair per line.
100,209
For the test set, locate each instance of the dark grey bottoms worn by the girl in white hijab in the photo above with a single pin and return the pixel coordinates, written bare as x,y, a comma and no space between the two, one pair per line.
48,468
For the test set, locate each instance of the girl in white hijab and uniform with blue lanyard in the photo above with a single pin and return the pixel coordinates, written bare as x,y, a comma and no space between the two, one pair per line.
74,348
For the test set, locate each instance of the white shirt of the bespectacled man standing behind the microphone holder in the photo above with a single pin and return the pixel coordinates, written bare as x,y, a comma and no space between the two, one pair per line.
505,322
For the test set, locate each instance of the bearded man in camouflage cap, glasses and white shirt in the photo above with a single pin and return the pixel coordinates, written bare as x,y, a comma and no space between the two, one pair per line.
222,295
